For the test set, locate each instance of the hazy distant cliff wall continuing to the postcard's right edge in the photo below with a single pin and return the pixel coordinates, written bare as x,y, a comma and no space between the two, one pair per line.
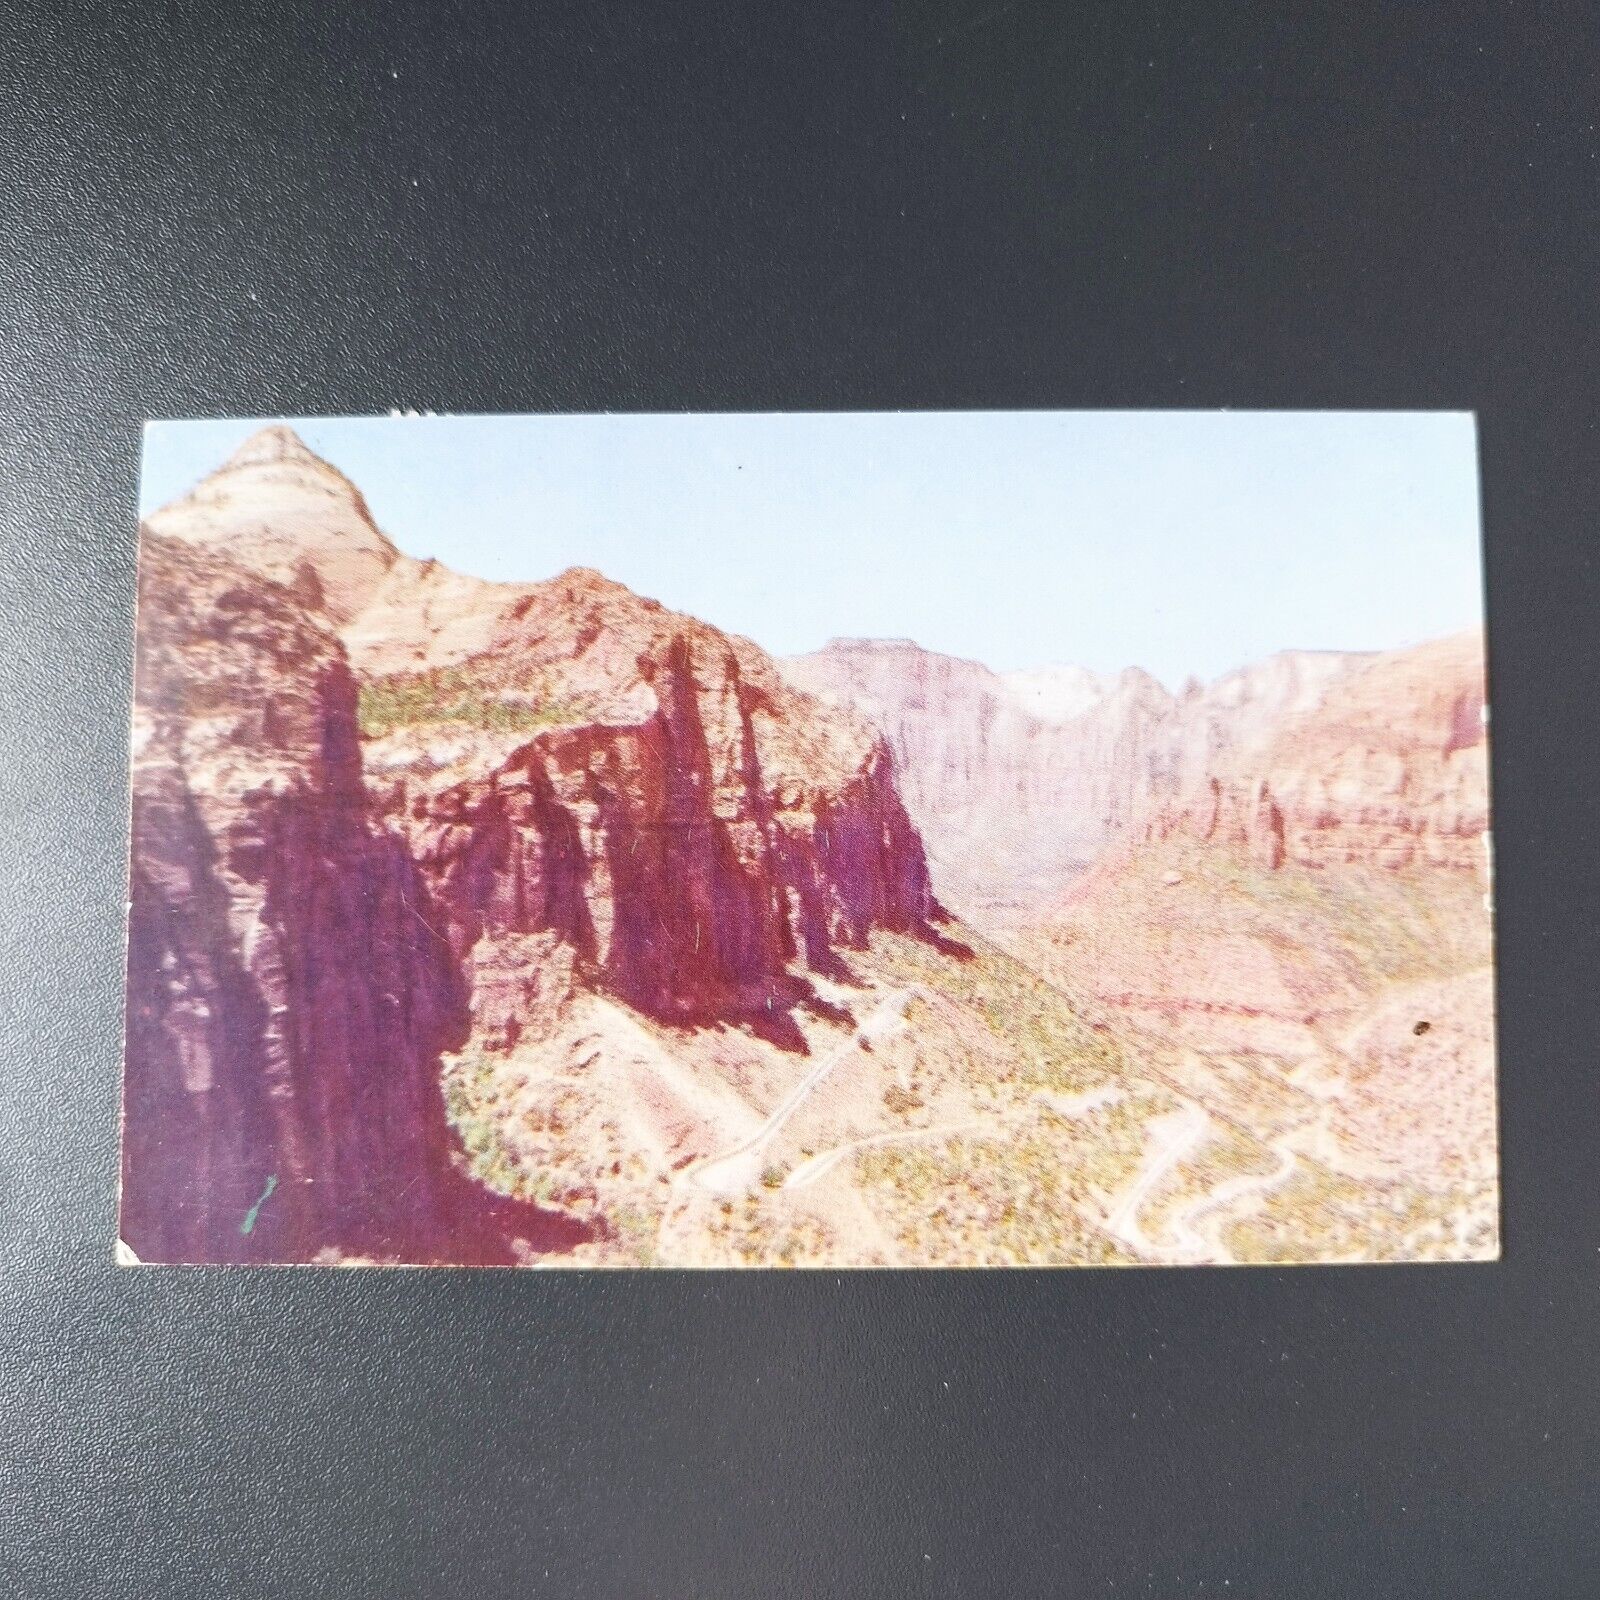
1020,782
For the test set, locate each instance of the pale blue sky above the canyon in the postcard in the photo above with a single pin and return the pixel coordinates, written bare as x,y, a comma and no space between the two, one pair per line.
1180,542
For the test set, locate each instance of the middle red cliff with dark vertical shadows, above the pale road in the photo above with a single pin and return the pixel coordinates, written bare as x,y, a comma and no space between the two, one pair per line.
694,830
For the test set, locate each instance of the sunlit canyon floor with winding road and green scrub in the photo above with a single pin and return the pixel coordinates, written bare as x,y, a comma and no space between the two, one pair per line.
966,1110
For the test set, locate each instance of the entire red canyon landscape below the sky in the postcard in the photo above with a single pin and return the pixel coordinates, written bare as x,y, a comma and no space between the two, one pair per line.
537,924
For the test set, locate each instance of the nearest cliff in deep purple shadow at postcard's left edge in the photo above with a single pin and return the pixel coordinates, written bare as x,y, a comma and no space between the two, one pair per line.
287,994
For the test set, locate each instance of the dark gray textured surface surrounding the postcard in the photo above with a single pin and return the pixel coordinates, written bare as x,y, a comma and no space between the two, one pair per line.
300,209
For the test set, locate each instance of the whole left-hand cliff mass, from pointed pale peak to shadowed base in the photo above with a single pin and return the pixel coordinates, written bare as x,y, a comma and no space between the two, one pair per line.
385,812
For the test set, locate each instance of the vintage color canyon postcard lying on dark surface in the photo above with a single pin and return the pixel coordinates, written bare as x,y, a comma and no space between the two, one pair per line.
810,841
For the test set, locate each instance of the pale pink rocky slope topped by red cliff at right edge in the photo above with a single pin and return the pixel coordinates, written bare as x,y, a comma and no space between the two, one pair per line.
1298,930
